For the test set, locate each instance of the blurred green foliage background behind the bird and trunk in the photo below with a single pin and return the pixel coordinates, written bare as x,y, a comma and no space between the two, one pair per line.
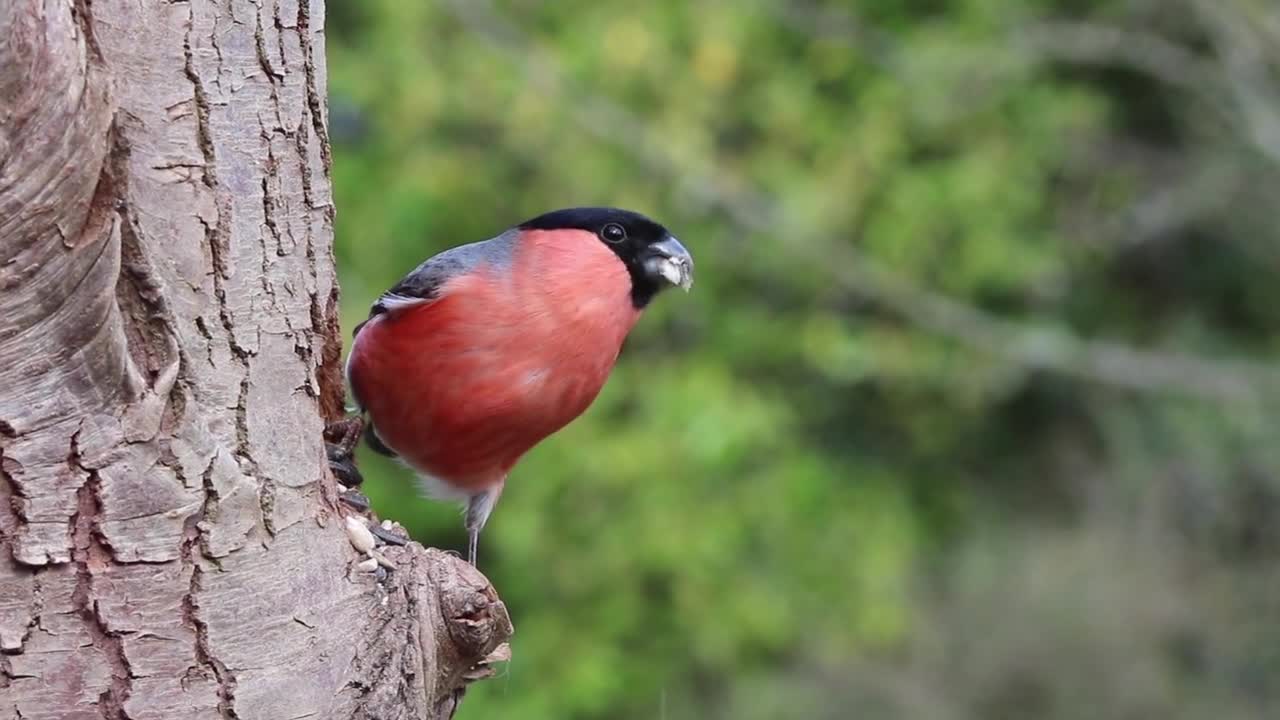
811,494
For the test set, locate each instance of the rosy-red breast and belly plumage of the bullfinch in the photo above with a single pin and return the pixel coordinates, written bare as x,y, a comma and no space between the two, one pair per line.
509,353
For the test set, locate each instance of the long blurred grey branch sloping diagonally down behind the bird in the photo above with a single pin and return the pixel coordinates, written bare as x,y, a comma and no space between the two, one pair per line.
1028,345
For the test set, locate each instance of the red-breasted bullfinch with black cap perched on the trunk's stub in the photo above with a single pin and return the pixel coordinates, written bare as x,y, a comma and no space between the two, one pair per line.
487,349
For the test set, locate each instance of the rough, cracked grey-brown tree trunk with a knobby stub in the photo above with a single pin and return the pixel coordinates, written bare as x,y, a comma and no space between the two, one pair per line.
171,545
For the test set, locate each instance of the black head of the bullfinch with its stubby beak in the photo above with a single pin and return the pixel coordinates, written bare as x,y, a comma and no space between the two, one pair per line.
653,257
